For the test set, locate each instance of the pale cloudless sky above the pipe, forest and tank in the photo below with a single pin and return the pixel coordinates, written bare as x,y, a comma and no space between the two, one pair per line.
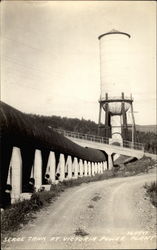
51,60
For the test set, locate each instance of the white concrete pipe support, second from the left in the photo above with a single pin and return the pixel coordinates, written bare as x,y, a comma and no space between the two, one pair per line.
38,169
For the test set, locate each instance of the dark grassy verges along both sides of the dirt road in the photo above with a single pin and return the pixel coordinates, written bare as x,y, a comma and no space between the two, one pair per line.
21,212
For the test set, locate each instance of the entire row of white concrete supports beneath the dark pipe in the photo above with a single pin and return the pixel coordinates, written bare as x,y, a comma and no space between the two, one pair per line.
67,168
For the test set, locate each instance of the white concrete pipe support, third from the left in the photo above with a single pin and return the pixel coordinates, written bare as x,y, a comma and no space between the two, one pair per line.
51,165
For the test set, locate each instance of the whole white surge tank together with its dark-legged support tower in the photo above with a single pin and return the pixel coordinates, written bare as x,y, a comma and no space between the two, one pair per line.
115,99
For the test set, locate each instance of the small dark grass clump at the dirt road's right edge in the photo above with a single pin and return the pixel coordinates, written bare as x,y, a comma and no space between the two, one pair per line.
151,191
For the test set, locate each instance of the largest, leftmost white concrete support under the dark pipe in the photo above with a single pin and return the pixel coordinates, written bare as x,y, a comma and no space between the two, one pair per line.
16,166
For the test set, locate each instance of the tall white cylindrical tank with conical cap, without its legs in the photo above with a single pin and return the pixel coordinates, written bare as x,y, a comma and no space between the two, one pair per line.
114,68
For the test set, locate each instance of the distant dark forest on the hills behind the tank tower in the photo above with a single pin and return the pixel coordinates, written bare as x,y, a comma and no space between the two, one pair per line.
149,139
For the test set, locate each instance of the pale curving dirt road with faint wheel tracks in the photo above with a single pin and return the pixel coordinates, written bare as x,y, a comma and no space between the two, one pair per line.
109,214
